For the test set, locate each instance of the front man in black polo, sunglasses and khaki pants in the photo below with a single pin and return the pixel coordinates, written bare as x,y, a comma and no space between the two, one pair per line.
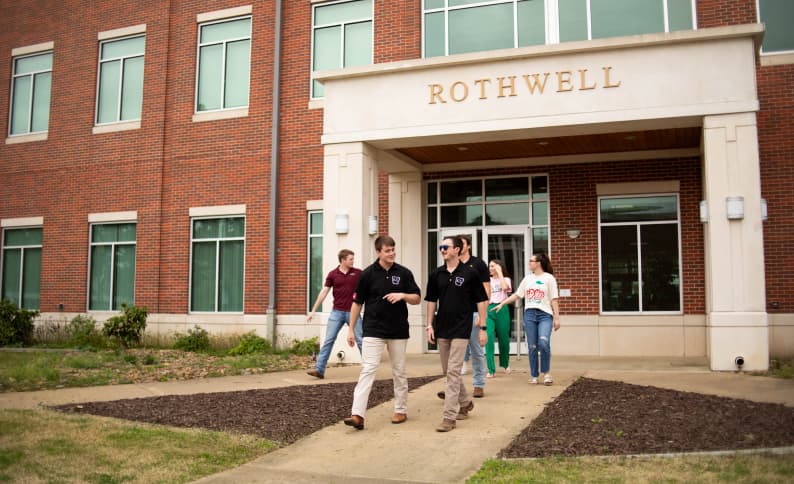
454,288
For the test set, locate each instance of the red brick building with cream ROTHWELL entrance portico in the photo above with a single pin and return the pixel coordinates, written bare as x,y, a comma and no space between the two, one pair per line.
142,162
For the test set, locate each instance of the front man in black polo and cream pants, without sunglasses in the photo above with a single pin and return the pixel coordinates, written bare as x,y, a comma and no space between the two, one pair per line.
385,288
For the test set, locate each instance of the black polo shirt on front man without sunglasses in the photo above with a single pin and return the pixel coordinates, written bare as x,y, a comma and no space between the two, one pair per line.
383,319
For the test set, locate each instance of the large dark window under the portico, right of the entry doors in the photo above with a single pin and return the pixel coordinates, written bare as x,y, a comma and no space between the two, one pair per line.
640,254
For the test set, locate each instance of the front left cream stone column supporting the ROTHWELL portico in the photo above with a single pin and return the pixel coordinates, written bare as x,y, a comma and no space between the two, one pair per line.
349,197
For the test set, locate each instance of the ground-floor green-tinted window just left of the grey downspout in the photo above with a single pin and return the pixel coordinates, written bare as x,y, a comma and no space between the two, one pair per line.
217,264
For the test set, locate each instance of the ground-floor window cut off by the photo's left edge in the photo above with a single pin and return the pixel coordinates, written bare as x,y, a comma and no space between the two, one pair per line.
21,267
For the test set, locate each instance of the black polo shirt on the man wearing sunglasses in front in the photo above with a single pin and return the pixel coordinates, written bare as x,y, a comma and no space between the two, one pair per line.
456,293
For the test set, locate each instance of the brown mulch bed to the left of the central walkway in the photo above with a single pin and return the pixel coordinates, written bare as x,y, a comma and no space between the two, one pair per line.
280,414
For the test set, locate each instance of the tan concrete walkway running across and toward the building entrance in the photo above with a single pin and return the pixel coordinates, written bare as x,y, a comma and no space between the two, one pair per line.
414,451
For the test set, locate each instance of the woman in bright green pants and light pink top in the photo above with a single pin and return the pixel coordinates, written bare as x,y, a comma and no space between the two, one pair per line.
498,321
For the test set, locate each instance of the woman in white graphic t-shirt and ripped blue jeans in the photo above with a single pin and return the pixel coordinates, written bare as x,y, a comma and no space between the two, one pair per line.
541,313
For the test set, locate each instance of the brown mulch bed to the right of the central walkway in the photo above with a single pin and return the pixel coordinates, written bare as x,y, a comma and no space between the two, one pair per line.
597,417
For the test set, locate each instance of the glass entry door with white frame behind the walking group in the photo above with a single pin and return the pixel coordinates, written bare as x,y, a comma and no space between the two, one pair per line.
511,246
